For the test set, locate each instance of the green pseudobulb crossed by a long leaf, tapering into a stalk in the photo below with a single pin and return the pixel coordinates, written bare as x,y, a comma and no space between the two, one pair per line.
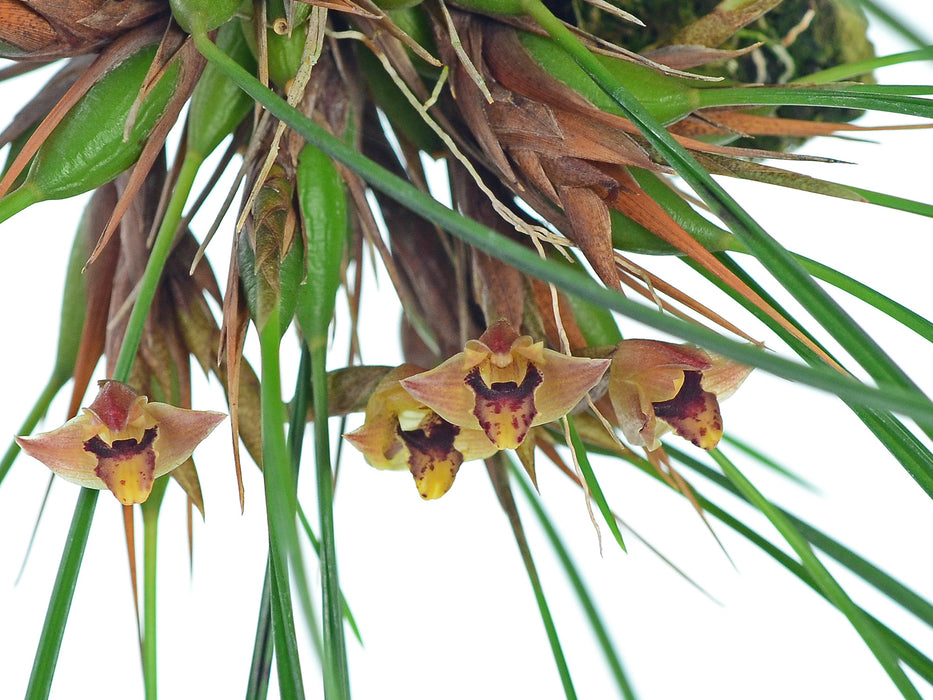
217,104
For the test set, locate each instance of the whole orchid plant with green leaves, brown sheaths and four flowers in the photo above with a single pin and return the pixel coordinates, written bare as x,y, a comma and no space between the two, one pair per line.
580,139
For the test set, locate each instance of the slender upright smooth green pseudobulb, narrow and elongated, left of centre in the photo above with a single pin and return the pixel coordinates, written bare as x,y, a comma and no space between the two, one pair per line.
323,203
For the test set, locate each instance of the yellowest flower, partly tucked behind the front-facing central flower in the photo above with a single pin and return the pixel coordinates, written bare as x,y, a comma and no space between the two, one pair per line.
401,432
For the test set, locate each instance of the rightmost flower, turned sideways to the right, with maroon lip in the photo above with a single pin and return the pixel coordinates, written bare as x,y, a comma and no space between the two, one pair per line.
655,385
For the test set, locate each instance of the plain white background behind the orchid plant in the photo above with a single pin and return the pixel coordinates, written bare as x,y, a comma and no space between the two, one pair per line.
438,589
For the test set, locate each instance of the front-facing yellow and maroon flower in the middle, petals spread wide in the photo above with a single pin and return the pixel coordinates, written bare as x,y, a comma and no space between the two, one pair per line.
504,383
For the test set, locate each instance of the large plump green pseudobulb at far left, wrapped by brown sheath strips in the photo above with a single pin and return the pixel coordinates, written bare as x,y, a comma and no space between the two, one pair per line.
87,147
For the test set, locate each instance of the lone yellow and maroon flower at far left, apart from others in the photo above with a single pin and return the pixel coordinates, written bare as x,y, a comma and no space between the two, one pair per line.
121,442
